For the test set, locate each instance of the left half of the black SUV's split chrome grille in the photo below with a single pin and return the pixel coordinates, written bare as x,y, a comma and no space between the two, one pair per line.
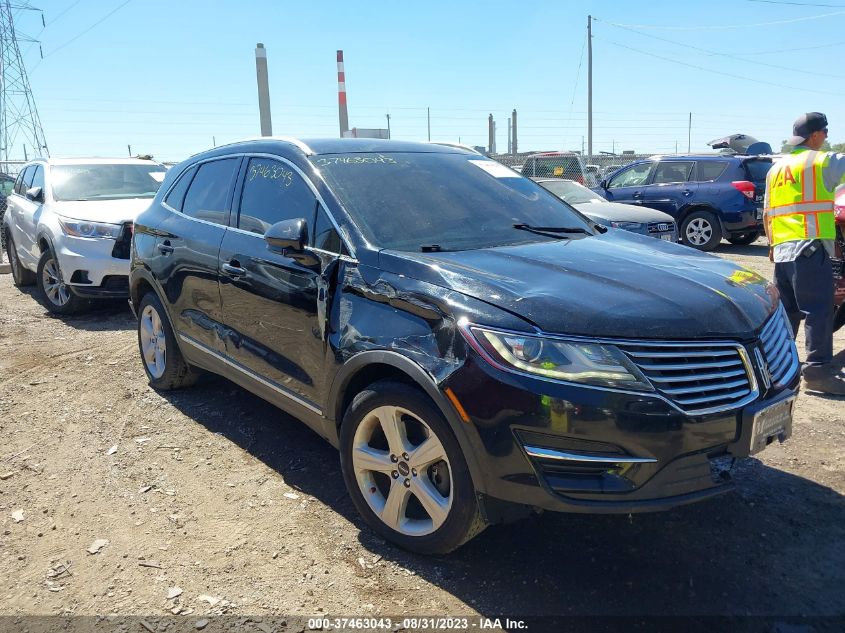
698,378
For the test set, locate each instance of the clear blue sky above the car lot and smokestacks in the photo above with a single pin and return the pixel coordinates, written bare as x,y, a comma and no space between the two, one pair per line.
171,77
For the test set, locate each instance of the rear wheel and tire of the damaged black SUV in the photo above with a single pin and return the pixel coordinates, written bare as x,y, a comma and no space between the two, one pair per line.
163,362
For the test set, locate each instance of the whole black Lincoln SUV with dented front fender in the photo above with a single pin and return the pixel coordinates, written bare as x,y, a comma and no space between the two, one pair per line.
475,347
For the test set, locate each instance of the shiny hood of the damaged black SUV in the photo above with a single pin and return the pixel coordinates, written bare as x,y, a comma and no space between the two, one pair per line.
618,284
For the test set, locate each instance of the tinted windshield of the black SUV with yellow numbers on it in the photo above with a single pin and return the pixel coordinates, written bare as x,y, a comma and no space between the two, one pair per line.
406,201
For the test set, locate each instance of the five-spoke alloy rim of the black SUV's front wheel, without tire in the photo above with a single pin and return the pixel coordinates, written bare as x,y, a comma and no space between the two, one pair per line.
402,471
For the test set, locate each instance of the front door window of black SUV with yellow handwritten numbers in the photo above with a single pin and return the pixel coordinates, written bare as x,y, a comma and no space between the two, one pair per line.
273,192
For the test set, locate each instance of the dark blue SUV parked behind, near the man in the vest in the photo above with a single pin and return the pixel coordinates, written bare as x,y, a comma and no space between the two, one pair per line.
711,196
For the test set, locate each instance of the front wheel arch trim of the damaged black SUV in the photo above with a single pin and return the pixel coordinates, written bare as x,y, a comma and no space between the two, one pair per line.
365,368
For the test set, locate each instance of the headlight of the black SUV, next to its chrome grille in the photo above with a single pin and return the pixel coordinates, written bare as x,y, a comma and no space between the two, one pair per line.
570,361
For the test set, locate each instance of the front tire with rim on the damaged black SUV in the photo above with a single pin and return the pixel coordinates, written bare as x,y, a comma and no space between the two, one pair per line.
405,470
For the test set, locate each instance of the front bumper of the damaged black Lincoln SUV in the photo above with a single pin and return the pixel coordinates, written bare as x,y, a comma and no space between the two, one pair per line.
652,456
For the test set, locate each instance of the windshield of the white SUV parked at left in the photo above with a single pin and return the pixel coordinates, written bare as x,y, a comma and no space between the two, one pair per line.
105,182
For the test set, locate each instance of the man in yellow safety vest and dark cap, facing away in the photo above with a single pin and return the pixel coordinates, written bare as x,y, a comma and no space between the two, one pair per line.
800,225
